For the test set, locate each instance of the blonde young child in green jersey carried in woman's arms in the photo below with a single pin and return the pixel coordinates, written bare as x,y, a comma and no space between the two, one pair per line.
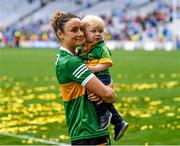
98,59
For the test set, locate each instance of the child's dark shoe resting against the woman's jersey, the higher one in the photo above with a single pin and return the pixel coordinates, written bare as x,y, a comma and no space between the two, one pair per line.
105,120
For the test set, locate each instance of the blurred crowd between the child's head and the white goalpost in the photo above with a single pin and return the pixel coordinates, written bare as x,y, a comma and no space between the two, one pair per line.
152,26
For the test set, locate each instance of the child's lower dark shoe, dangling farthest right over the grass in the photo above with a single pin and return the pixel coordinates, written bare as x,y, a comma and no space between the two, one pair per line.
120,129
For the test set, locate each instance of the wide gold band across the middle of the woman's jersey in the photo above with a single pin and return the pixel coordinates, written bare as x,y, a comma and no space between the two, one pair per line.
71,91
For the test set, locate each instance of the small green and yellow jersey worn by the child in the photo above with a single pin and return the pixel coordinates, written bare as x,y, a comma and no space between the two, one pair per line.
98,54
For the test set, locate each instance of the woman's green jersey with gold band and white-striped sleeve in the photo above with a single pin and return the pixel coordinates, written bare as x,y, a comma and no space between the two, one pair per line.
81,117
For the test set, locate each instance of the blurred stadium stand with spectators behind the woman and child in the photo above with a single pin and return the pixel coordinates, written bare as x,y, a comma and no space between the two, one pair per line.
130,24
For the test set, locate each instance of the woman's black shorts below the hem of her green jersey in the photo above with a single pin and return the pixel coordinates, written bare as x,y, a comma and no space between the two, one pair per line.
92,141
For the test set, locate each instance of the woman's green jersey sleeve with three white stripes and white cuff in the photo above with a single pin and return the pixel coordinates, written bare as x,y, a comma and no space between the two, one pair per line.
78,71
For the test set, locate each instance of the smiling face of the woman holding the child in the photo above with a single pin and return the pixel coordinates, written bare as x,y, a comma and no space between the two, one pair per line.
72,36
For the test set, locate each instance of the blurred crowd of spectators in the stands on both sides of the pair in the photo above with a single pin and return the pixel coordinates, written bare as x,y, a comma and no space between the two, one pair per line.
119,26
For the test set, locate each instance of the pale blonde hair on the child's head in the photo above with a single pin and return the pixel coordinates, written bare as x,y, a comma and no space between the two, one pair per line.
94,21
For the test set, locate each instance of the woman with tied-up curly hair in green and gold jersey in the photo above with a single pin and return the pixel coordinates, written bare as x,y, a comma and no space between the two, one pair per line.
74,78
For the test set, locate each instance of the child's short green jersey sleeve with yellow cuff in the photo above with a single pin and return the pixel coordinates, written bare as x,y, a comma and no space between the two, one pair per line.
104,55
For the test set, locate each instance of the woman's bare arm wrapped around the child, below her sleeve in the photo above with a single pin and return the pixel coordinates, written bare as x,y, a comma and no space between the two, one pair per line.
96,86
